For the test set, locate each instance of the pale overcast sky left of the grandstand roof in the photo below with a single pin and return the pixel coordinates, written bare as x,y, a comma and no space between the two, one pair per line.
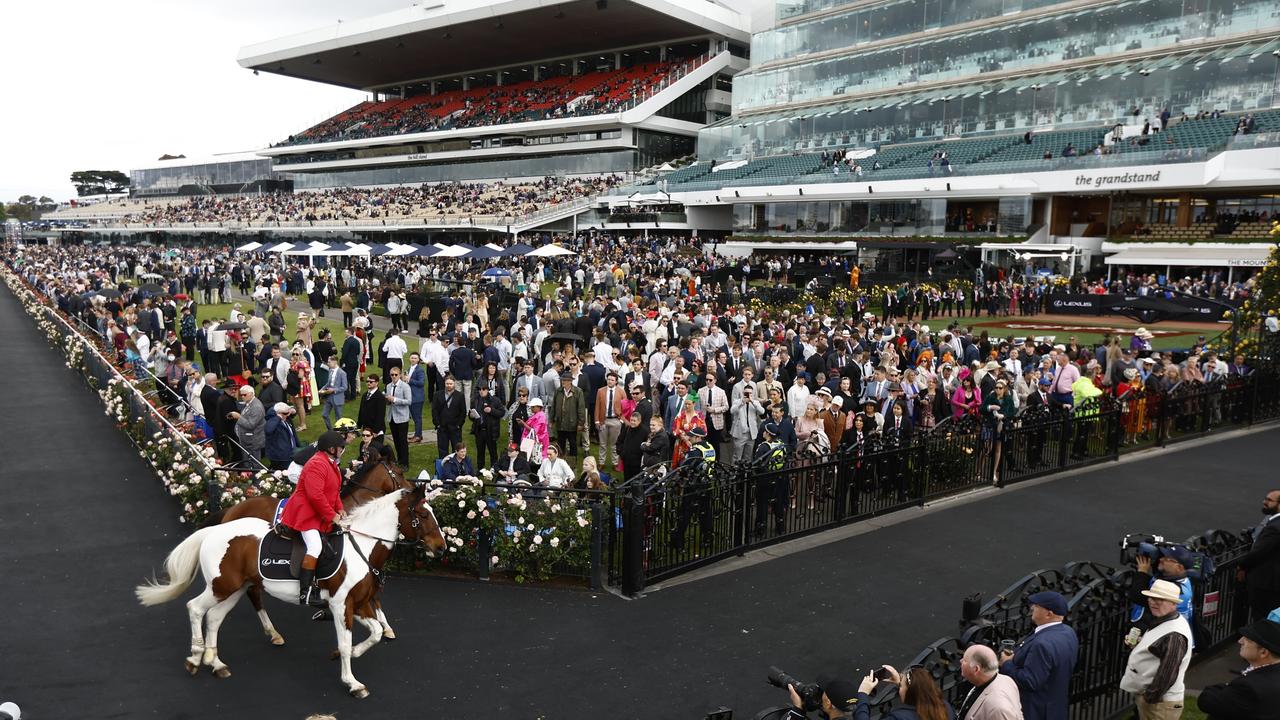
112,86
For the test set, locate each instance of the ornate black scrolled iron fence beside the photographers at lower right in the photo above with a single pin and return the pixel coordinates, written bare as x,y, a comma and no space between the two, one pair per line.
1099,613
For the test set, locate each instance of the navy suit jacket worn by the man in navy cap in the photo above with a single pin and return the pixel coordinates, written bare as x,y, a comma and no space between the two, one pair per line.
1043,669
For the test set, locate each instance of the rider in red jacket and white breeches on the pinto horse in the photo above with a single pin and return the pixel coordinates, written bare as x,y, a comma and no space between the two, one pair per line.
314,508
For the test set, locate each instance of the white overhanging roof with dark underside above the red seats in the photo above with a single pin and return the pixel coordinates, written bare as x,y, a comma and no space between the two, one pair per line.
441,38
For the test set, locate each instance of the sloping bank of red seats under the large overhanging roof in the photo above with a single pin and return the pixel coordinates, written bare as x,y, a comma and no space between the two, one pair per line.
604,92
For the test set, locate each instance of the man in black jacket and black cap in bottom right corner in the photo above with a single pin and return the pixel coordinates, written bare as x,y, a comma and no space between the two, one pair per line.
1256,694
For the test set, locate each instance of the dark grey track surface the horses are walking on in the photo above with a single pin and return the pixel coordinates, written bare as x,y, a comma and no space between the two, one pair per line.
84,522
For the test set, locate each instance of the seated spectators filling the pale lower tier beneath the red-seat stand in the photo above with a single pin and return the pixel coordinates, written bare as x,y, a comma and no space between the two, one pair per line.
436,202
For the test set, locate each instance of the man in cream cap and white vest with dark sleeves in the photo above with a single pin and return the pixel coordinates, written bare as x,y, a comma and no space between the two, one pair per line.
1160,658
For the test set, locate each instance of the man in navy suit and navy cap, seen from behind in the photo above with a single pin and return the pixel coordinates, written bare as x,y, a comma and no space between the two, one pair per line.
1043,666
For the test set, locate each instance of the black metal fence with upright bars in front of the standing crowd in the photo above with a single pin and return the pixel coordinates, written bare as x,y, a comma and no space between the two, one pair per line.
680,521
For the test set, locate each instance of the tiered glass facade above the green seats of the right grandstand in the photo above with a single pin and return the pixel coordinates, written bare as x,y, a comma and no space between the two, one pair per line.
849,75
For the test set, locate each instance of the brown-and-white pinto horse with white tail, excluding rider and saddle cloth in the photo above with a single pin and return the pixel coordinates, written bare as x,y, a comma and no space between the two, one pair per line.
227,557
